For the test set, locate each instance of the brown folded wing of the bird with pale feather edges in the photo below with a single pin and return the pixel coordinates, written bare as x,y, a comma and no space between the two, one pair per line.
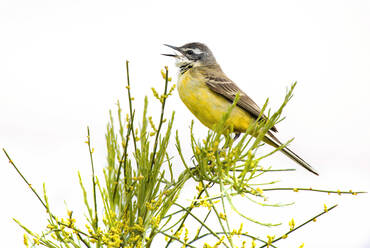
221,84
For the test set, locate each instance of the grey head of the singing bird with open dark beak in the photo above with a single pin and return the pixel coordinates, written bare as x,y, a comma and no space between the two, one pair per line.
192,54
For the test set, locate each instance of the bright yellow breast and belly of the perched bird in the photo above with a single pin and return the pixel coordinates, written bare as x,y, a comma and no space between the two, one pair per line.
208,106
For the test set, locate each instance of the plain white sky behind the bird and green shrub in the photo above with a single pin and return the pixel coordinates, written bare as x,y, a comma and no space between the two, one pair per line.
62,69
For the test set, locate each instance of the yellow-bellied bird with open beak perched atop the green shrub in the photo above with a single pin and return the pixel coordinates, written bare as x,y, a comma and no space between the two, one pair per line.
208,93
